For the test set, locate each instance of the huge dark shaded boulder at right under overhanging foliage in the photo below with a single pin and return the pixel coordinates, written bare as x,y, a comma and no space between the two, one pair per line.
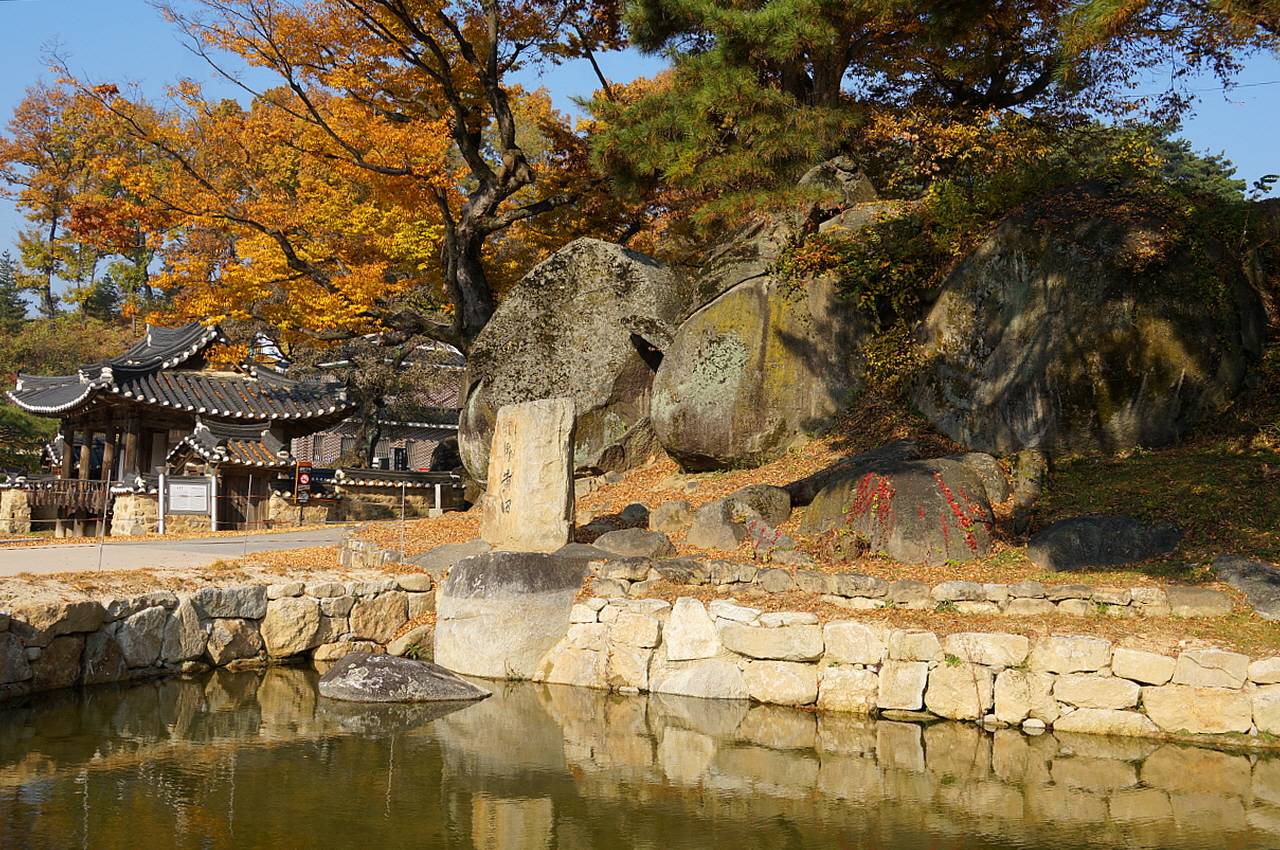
1081,328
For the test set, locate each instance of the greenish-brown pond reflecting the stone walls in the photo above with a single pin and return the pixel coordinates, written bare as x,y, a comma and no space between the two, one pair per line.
258,760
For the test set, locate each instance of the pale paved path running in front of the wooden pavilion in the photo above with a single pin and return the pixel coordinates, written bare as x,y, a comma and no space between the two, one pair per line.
118,555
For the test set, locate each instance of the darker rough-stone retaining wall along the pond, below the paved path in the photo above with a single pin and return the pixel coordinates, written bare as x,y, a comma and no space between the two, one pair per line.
45,646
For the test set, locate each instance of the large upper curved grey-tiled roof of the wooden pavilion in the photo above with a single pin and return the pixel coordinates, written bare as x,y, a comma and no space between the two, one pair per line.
147,373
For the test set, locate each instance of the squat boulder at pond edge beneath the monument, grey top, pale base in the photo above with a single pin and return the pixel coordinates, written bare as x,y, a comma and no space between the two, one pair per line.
501,614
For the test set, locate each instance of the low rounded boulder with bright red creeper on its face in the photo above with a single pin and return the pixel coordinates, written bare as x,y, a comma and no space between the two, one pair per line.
916,511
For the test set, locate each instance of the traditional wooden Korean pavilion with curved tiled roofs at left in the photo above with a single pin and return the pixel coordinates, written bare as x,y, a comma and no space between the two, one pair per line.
164,406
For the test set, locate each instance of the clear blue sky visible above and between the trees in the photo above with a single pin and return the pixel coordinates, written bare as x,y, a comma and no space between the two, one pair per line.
129,42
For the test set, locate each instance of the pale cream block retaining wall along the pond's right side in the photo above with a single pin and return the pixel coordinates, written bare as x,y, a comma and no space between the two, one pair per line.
726,651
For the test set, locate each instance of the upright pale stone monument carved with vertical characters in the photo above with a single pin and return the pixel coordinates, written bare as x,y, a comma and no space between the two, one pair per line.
529,506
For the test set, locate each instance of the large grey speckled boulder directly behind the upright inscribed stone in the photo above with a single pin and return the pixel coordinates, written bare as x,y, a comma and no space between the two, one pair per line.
588,323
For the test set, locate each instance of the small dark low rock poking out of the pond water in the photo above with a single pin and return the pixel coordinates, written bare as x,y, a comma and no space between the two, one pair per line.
365,678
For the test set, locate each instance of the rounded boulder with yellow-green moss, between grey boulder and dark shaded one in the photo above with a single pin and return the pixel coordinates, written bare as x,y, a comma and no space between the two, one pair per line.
753,372
